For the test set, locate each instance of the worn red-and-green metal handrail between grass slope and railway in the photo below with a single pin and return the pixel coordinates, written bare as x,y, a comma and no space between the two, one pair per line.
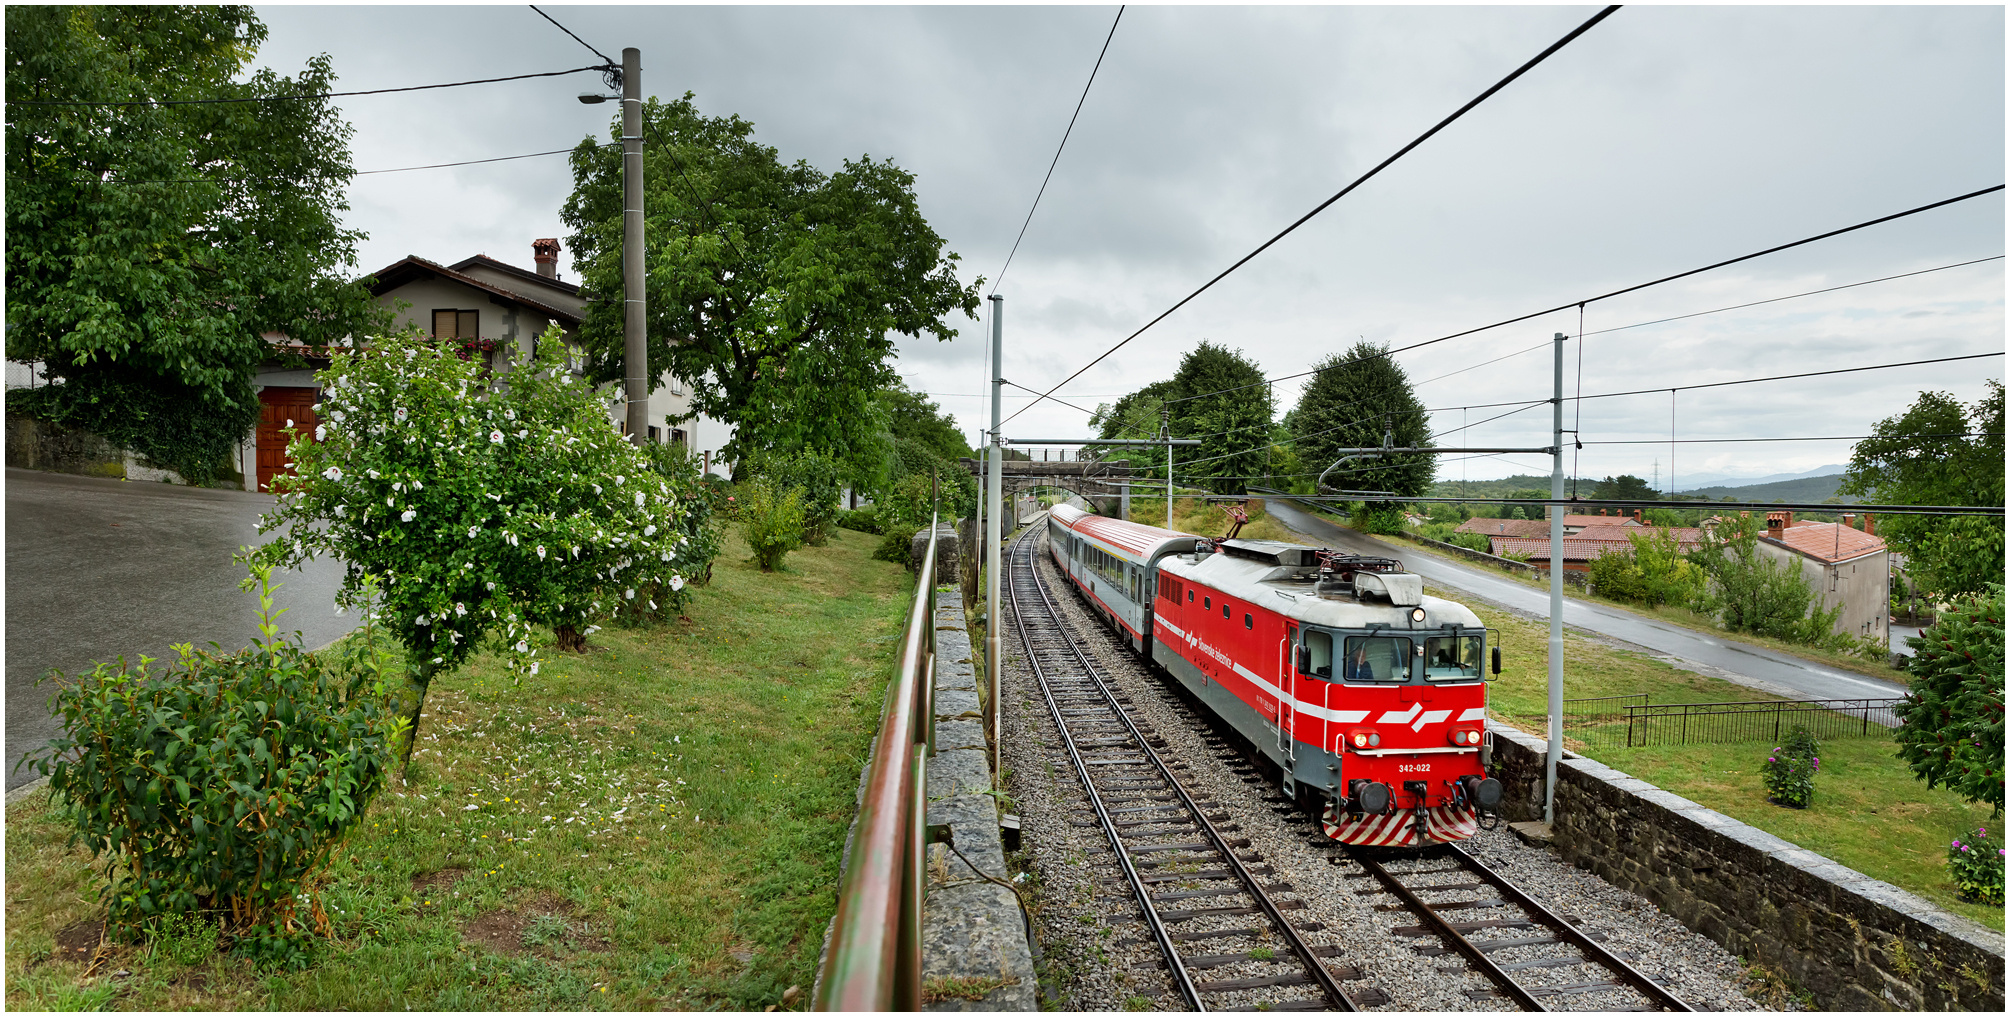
875,942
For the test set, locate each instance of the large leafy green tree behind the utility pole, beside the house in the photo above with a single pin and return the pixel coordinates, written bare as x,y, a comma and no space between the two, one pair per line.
775,288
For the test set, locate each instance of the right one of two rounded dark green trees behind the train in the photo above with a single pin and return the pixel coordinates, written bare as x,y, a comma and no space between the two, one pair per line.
1352,403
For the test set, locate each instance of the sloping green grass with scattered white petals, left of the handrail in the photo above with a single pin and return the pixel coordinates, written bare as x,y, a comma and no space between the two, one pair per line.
656,823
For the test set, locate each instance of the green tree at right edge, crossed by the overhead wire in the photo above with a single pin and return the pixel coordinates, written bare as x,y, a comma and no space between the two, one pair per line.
1939,453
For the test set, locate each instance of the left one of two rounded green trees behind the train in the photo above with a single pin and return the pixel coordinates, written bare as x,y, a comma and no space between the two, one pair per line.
1221,399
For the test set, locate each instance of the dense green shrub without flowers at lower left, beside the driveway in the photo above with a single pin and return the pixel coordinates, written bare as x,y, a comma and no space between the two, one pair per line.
216,787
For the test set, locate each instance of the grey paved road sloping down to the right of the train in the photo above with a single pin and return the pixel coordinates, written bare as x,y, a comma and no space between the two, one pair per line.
1726,658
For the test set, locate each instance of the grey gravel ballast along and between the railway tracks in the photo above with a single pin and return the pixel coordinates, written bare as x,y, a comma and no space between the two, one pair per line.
1096,956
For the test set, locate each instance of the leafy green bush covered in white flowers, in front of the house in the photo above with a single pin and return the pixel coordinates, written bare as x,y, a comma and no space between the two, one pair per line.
481,510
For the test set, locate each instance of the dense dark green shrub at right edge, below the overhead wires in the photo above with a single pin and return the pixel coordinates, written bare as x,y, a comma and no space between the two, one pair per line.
1953,719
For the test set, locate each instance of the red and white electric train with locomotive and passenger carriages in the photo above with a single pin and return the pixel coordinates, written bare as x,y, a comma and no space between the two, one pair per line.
1366,694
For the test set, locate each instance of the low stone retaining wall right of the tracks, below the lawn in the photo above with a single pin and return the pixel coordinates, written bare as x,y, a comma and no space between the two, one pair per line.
1852,942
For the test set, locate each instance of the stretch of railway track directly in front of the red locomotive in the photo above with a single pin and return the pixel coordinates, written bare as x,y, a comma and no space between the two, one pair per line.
1506,934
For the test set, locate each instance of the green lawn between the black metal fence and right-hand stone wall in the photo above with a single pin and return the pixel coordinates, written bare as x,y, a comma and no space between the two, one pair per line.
1868,813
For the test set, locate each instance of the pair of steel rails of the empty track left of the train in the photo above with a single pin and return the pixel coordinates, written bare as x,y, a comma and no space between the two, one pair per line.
1251,887
